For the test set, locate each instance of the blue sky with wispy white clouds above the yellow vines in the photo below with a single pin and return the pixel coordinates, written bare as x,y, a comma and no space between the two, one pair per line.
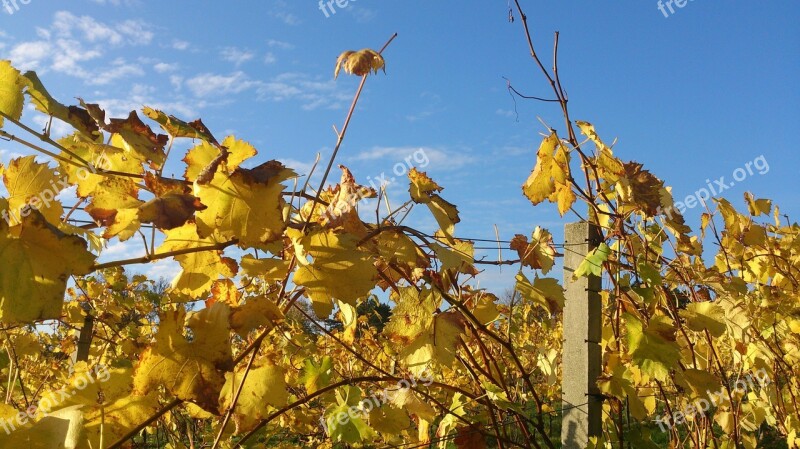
693,96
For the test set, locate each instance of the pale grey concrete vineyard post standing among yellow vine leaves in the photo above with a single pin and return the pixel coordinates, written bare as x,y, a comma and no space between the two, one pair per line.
581,403
